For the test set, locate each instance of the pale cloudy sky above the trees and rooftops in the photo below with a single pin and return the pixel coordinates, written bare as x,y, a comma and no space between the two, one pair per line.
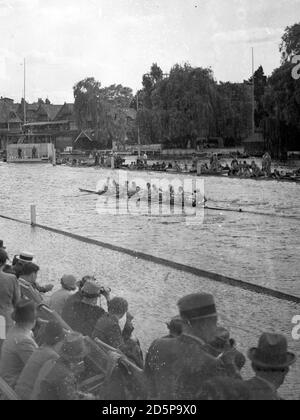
116,41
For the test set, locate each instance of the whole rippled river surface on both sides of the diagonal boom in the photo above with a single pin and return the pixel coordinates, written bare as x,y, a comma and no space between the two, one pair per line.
254,247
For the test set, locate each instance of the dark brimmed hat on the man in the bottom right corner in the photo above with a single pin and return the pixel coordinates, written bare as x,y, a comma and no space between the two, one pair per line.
272,352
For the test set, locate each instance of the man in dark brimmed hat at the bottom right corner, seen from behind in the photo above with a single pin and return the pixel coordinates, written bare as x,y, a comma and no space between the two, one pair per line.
271,362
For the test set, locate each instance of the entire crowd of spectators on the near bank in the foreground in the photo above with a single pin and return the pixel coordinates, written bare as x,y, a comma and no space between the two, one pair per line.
50,357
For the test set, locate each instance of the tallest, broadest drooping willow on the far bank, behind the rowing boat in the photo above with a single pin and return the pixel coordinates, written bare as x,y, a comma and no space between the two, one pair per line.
177,108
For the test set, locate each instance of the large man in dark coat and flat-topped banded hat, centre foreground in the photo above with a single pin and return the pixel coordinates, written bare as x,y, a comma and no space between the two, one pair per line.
177,367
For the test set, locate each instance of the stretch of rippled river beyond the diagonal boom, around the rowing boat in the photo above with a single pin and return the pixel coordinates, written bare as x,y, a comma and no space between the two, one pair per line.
260,249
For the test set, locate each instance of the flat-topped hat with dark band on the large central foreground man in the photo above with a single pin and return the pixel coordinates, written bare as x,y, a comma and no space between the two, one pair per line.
197,306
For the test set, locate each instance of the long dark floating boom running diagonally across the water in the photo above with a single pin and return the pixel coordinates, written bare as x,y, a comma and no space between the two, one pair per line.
171,264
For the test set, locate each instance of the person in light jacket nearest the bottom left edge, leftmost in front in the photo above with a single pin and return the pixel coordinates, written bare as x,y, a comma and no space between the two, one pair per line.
20,344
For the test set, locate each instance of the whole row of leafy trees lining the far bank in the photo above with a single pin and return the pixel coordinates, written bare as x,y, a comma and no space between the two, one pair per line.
187,105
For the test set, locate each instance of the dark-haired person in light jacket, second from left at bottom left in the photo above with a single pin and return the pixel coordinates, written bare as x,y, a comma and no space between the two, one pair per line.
53,337
